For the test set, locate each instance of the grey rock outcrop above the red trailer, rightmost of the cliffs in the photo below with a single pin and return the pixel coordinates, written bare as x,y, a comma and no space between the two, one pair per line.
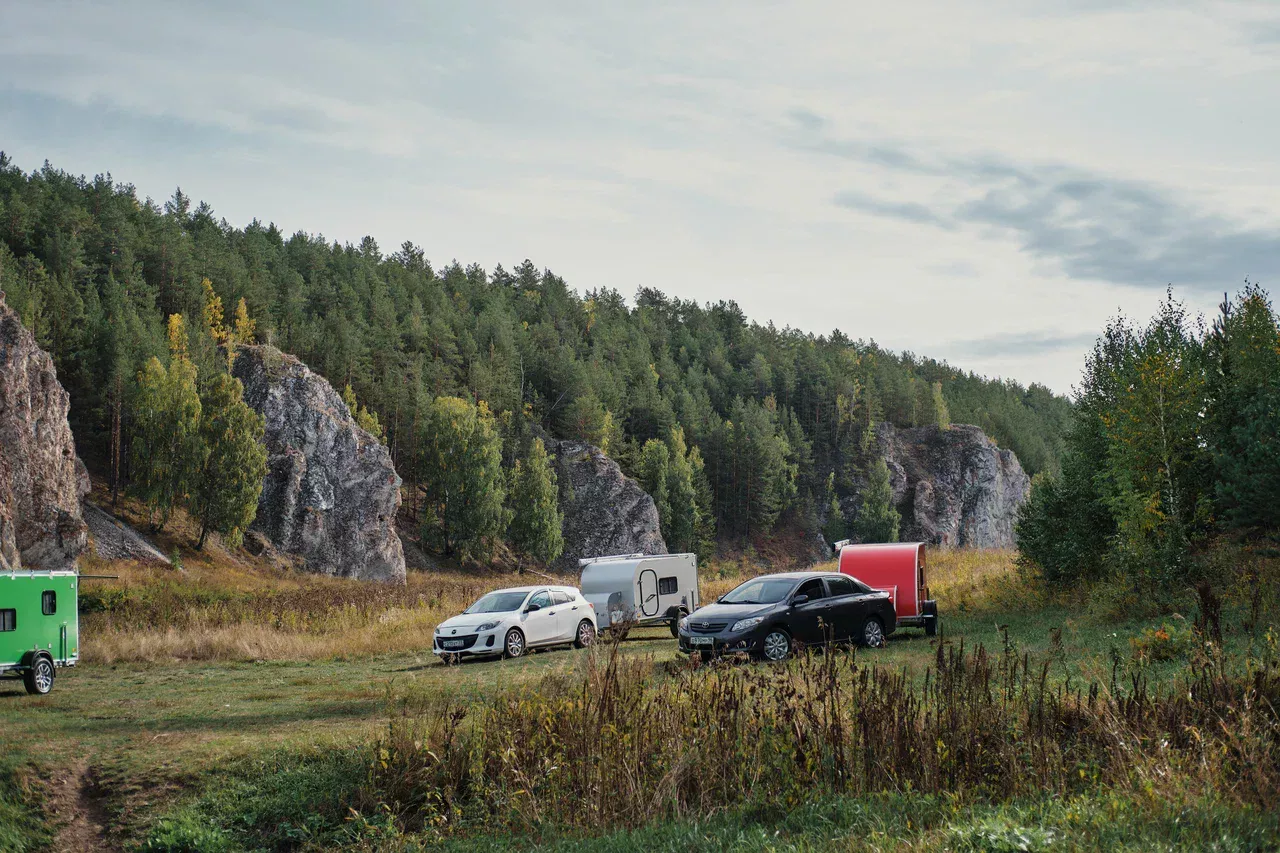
954,487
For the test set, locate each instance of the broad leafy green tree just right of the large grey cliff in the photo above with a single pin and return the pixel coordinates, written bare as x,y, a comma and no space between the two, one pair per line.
463,478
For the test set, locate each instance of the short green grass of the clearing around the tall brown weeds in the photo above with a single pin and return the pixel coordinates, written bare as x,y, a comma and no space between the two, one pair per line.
272,755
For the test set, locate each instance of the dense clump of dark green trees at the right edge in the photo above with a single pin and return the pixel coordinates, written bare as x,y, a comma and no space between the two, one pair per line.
1173,441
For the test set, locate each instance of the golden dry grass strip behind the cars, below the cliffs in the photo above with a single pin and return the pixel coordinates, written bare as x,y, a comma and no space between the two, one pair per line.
221,608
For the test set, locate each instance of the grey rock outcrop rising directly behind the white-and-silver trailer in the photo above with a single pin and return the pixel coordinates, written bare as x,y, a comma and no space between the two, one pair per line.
606,513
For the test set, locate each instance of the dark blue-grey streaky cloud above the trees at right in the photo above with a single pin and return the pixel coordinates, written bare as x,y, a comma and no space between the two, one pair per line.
1091,226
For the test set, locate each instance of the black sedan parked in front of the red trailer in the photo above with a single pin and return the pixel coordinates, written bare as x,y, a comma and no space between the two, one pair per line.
769,615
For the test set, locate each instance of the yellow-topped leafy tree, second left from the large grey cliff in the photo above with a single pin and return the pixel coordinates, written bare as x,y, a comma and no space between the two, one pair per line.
168,451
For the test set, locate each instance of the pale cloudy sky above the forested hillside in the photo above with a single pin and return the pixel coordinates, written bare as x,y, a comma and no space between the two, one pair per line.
980,181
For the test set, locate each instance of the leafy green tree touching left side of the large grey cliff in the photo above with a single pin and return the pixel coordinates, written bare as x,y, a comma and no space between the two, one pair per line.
235,469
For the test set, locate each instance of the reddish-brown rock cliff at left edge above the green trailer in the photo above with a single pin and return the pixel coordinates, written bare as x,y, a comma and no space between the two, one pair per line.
42,480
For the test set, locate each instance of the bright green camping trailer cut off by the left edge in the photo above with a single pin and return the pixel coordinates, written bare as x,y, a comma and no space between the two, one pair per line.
39,626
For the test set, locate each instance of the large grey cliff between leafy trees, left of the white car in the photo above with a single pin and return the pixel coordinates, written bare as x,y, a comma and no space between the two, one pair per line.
332,494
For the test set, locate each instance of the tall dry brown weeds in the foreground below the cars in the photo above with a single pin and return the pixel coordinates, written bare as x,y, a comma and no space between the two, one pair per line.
632,742
